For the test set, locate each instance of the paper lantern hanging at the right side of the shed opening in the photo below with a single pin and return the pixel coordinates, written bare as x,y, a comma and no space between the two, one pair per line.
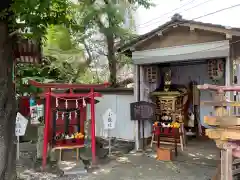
216,69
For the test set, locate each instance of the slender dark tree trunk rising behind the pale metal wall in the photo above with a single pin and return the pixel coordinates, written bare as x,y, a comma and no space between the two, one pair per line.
112,61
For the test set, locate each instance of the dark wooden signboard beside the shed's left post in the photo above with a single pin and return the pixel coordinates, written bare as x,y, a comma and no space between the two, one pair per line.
142,110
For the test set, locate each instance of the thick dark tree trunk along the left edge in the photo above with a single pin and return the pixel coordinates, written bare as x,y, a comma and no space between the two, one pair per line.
7,107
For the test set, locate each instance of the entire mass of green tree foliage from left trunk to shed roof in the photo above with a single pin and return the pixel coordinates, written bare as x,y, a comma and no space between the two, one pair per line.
68,29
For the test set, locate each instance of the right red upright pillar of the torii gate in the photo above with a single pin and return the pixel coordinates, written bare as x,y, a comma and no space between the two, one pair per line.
93,127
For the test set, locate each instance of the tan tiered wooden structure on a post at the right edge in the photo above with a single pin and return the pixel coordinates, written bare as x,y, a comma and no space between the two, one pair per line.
225,130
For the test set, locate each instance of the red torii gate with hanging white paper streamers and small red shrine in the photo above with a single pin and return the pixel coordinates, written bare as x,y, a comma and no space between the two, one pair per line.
65,114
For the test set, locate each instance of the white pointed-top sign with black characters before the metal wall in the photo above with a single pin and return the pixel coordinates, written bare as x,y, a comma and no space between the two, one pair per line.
109,119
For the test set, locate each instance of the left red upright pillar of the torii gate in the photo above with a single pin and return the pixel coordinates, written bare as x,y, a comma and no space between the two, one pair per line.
46,128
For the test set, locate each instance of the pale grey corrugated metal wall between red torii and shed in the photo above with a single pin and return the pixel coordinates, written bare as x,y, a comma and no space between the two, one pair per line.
120,104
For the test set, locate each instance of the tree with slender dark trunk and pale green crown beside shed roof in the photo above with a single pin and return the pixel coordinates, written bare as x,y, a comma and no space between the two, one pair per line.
107,17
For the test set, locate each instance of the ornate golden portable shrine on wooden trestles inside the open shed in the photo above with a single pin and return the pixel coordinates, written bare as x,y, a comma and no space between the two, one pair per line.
169,114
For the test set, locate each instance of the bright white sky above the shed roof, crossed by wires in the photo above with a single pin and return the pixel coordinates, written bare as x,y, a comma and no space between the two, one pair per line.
148,19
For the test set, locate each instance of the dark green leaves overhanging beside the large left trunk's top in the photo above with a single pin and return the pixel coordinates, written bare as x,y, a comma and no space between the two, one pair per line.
39,14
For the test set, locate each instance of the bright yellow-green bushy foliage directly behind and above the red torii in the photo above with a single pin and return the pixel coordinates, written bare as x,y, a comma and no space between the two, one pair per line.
64,61
